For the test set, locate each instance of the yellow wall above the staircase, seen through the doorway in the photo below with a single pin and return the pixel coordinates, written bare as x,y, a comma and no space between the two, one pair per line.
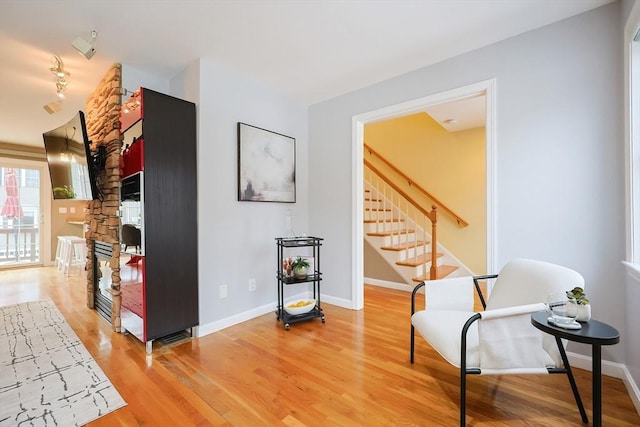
449,165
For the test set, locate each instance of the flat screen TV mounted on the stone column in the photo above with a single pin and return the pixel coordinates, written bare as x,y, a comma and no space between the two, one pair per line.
71,166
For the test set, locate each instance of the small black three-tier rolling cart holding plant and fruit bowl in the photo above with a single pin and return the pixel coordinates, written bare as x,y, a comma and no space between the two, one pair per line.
284,245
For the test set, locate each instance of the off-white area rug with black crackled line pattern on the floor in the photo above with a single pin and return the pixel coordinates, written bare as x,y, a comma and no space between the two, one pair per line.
47,376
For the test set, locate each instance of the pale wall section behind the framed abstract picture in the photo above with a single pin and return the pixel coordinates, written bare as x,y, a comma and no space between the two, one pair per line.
236,239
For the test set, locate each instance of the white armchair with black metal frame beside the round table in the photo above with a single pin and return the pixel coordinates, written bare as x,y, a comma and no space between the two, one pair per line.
499,340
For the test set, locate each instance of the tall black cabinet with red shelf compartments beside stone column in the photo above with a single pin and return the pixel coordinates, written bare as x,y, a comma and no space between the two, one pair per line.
162,129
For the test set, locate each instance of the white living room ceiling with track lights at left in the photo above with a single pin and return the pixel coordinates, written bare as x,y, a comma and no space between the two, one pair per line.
308,50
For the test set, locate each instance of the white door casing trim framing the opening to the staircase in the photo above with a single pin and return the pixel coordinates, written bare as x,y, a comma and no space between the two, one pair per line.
486,89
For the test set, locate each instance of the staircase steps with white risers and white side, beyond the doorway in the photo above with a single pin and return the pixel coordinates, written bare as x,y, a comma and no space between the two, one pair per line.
392,257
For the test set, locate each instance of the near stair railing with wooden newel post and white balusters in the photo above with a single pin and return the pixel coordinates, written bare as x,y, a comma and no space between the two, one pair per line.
383,191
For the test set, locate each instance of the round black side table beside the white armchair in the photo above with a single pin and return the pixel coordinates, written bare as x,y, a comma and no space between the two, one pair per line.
592,332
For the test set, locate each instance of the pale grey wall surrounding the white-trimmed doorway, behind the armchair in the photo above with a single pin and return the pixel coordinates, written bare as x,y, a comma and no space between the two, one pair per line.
560,169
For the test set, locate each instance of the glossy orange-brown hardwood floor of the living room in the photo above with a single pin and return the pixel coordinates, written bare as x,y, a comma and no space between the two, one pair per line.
352,371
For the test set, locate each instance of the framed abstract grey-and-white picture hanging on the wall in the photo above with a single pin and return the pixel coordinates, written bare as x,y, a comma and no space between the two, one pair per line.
266,165
